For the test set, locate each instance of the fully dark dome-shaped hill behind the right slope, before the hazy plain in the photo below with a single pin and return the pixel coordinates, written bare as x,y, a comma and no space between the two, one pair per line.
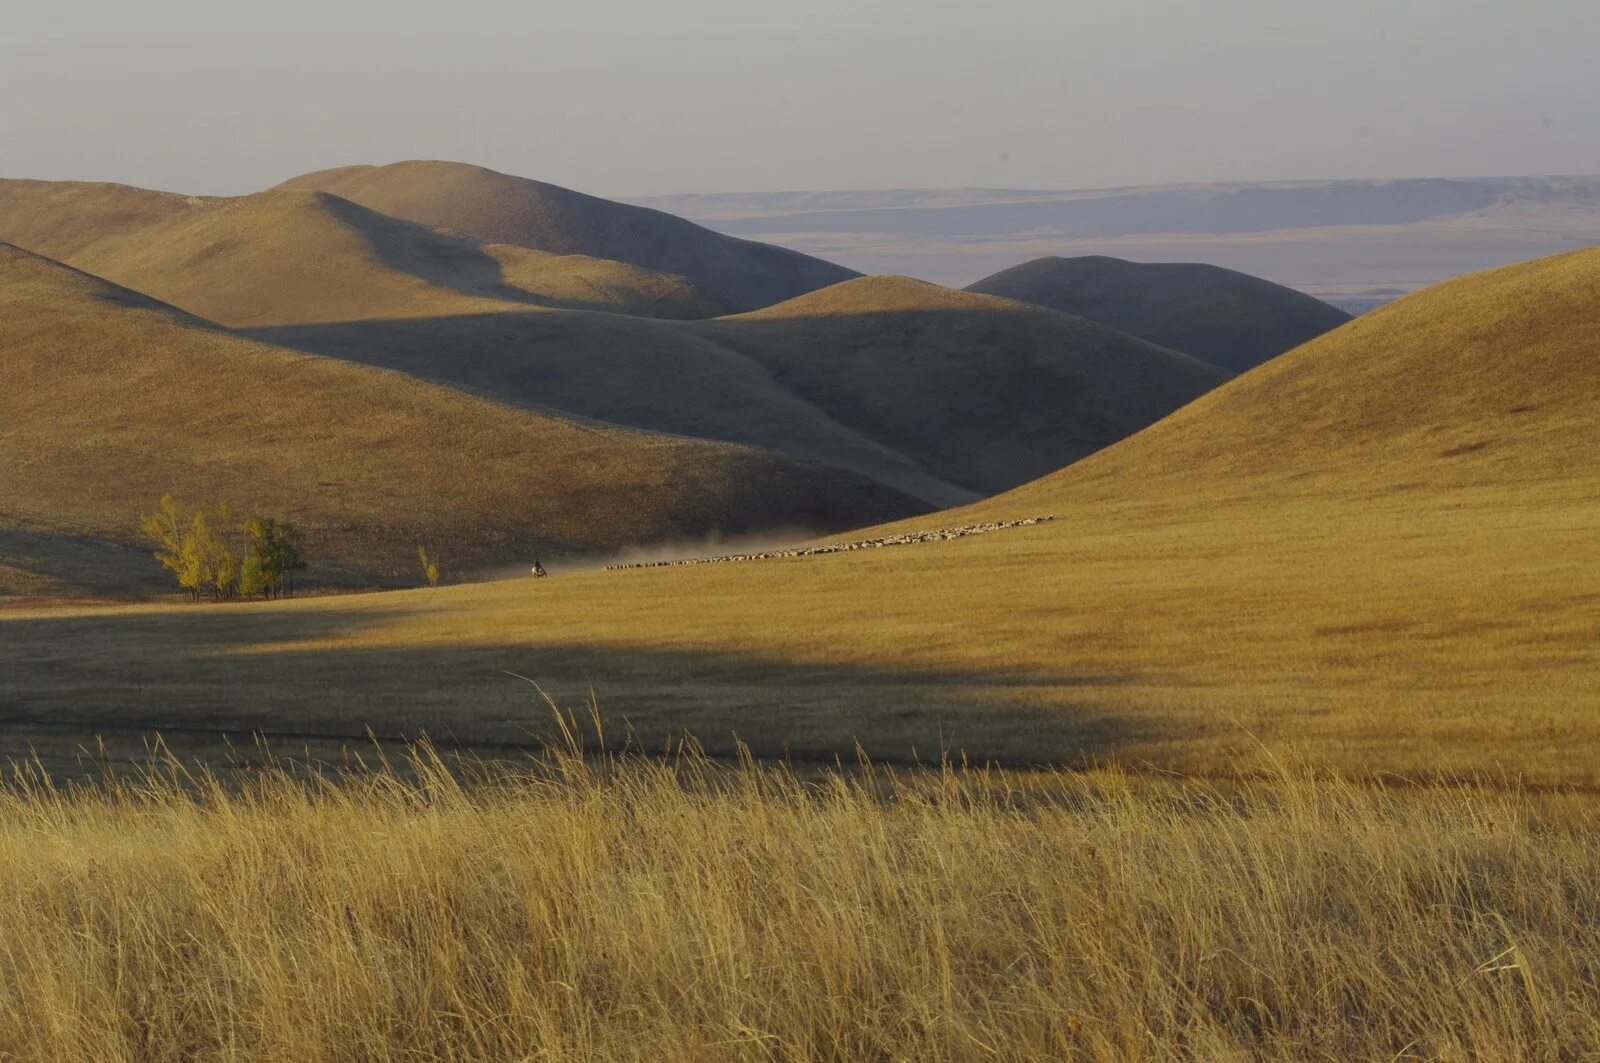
1220,316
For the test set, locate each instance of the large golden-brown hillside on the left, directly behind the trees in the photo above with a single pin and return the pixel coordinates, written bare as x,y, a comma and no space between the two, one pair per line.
114,399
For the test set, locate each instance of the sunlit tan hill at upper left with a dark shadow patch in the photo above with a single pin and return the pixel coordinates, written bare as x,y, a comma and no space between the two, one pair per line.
281,259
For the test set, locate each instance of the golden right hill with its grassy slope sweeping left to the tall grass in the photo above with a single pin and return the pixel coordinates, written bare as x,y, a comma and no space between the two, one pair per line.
1377,553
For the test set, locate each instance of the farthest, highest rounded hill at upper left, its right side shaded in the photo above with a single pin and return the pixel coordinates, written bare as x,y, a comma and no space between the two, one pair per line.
500,209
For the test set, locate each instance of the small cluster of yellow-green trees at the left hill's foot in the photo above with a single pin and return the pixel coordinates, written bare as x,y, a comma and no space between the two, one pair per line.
215,553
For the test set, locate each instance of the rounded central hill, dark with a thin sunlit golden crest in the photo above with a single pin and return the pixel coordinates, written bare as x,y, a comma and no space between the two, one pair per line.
985,393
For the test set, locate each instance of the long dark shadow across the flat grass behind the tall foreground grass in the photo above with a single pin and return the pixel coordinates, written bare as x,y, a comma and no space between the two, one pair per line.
284,675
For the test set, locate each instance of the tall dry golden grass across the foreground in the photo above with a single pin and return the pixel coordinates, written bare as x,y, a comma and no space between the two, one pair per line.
676,910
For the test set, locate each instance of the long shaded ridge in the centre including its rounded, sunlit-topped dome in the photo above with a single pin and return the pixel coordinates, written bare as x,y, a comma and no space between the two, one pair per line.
937,393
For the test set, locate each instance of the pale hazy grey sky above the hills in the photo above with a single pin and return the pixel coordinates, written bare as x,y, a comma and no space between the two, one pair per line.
634,97
